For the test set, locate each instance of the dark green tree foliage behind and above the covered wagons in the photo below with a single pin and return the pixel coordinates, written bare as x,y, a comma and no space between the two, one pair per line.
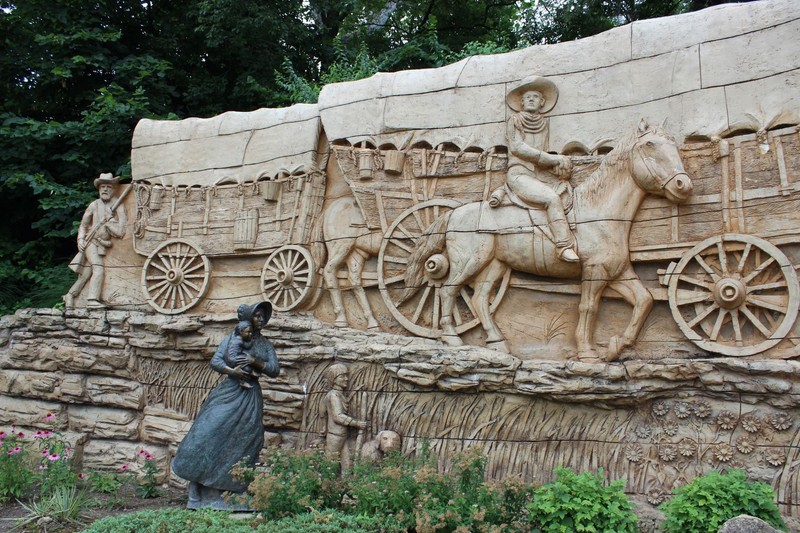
80,75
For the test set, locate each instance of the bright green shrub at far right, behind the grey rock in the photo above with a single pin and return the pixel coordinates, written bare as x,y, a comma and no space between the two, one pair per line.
709,501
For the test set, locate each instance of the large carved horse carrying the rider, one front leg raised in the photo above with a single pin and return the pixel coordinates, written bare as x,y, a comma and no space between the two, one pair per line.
481,243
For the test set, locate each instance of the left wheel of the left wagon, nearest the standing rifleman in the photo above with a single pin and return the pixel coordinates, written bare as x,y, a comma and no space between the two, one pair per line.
175,276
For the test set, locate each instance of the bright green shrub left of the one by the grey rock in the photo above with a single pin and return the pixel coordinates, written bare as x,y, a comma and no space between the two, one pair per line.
581,503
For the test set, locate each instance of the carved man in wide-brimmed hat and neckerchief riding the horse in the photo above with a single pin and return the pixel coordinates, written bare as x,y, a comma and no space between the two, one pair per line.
533,174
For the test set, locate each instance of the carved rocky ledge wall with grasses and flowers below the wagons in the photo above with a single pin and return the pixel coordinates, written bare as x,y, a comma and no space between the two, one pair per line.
118,382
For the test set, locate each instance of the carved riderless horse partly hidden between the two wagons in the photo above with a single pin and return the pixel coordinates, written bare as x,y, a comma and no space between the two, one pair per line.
347,239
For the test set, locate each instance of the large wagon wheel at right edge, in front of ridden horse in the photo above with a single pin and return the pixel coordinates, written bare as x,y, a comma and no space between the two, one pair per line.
734,295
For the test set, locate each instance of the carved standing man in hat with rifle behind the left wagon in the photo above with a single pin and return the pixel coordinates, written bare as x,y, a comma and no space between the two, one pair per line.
103,221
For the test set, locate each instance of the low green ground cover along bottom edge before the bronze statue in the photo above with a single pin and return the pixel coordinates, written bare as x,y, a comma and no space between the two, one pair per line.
181,520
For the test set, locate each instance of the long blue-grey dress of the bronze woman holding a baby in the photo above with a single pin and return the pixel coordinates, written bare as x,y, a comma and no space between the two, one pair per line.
229,426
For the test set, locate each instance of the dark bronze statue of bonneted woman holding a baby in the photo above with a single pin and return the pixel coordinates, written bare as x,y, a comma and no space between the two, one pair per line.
229,427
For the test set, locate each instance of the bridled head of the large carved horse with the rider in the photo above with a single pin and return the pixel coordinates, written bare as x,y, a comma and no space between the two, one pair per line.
656,165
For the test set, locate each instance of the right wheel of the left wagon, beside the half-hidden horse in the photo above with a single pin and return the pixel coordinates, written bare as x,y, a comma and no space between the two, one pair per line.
288,277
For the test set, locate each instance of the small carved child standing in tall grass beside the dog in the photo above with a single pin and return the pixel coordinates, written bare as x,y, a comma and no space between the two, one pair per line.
333,412
